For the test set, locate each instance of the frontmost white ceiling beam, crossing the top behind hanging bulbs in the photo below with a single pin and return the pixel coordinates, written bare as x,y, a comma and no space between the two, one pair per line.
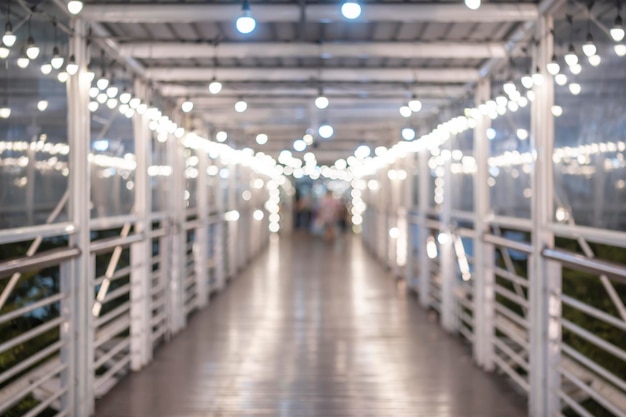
422,12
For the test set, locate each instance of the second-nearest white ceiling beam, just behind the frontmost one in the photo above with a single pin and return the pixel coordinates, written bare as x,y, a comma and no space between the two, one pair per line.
407,50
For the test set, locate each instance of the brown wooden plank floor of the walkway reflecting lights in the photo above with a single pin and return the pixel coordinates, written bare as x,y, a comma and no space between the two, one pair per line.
312,330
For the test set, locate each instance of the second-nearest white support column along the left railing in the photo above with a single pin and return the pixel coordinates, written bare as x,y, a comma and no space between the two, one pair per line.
141,252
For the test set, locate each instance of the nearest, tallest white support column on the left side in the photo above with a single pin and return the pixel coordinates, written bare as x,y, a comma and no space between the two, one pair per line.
80,354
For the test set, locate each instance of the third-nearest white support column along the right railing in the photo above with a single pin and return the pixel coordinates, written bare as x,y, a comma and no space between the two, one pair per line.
447,258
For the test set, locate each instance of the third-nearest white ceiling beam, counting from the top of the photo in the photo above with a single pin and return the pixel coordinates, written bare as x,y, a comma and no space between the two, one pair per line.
408,75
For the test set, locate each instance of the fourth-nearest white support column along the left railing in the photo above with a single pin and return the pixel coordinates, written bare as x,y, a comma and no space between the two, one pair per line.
201,248
